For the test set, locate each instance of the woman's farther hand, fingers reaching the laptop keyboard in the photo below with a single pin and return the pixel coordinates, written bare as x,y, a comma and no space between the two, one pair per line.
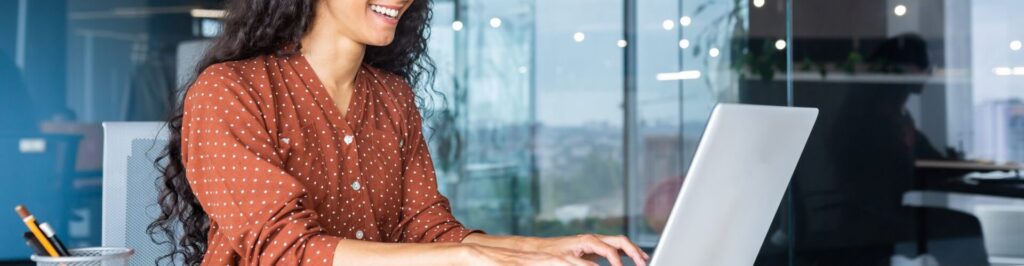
591,247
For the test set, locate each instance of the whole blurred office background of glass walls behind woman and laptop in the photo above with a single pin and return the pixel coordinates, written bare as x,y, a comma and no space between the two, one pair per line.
565,117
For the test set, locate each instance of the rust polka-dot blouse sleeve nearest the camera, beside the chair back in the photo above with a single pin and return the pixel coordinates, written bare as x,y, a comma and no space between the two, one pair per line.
238,178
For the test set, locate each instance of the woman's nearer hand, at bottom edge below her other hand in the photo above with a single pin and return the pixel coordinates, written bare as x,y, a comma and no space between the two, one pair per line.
484,255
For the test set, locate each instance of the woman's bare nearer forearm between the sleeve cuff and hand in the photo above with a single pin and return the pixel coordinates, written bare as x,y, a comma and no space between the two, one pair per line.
371,253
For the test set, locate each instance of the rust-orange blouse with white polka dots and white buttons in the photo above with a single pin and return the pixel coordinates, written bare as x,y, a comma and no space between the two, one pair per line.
284,176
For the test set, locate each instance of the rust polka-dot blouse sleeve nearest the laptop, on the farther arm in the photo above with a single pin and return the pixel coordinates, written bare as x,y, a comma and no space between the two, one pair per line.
426,214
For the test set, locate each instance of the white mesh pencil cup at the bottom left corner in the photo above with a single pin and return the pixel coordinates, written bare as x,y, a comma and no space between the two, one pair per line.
89,256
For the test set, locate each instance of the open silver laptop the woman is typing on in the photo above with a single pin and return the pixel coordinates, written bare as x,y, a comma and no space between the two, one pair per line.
735,186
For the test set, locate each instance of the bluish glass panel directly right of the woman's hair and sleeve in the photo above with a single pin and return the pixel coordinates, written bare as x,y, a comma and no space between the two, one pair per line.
482,137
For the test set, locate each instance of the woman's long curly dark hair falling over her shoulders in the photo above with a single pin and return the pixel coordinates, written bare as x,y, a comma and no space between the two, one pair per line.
253,28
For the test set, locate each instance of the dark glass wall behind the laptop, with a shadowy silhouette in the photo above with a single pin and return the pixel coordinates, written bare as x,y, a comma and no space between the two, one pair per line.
914,156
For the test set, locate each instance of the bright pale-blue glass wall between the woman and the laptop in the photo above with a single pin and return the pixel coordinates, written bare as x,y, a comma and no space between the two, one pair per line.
591,115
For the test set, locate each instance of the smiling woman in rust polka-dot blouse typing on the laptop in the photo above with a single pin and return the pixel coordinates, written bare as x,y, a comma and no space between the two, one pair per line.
301,143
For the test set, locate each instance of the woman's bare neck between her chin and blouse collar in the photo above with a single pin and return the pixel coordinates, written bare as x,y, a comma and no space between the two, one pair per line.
335,58
